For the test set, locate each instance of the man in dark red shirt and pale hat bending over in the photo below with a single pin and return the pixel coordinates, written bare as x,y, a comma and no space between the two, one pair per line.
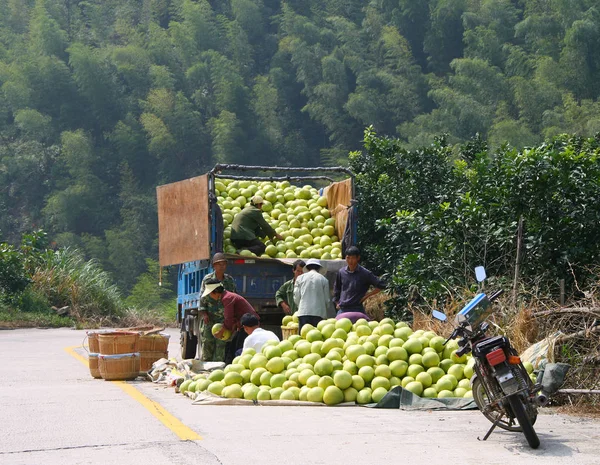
234,307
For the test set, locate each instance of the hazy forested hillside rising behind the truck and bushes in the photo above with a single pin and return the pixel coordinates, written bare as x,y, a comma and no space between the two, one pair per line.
102,100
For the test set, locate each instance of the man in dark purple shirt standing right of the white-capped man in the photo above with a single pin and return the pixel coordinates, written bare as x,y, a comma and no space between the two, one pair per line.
352,283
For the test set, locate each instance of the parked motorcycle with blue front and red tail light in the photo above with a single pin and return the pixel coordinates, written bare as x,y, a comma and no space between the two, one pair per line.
502,388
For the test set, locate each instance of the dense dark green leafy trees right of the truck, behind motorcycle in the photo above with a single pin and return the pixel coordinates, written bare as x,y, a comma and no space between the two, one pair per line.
434,213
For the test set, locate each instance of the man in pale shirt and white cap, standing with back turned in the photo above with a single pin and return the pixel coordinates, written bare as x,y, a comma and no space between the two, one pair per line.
311,294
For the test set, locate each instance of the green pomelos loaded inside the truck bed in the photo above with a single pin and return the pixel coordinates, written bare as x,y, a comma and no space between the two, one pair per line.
299,214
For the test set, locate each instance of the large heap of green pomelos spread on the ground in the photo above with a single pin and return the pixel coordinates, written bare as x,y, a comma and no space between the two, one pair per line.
343,362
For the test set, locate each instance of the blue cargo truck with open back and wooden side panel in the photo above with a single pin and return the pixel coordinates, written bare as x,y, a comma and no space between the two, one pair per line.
190,233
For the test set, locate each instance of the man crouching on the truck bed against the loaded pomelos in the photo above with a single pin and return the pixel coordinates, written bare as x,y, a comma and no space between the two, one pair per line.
248,225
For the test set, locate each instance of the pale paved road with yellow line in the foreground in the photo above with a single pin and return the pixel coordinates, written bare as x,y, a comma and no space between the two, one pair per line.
53,412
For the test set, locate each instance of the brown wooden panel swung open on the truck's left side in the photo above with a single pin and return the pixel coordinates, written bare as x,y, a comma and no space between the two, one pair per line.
183,221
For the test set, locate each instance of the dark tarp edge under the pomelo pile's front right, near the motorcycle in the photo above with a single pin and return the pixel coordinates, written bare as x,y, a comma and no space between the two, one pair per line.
402,399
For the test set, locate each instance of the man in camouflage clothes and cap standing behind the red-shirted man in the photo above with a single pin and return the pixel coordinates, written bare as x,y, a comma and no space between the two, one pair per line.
211,311
